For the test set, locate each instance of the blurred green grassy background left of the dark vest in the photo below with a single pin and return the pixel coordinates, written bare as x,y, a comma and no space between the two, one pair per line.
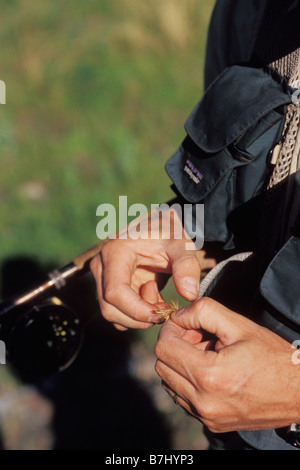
97,93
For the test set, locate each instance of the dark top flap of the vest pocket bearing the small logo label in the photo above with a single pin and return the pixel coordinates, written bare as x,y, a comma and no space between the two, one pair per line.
234,102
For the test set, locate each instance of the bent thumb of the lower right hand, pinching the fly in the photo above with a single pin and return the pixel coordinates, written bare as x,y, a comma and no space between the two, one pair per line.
211,316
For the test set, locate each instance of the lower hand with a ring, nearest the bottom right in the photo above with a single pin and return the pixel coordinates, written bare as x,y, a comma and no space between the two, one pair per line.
243,379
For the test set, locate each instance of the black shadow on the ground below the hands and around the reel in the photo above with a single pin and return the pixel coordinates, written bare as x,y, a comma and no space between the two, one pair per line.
98,404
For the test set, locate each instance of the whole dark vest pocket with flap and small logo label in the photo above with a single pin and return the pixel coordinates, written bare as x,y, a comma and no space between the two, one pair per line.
223,160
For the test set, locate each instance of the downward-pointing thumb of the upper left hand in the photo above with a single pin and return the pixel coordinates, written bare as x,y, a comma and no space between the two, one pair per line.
186,273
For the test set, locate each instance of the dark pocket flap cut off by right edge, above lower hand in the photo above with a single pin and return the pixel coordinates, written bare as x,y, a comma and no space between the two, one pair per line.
280,285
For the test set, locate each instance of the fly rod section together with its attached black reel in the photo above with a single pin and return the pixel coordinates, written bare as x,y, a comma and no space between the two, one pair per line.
42,335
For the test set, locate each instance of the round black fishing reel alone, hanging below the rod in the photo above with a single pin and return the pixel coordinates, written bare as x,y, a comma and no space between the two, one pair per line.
43,340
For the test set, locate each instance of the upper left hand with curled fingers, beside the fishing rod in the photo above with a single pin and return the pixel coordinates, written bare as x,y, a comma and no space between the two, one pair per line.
130,273
